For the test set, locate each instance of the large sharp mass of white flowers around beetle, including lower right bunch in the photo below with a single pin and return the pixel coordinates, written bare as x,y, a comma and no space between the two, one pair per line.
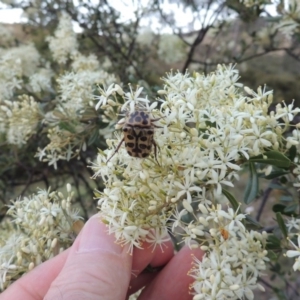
207,129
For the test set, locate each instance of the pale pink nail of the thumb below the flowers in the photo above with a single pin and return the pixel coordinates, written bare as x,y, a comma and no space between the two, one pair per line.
94,237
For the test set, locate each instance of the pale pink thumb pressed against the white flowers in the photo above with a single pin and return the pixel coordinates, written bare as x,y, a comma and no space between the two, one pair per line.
94,268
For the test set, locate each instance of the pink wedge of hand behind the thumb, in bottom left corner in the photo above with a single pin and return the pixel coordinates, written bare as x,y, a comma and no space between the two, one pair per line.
35,284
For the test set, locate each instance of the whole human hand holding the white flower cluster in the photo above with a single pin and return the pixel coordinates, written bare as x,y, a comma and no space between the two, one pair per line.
95,267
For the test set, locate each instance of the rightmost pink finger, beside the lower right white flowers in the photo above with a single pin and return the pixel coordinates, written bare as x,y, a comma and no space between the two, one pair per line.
173,281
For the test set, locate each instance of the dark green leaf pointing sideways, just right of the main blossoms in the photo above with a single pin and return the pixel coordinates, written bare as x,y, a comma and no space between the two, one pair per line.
273,158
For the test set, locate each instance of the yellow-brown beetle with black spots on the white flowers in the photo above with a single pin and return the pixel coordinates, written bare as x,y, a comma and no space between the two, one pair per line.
138,131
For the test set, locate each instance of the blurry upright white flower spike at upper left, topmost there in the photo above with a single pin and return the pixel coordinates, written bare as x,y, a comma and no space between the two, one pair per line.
64,42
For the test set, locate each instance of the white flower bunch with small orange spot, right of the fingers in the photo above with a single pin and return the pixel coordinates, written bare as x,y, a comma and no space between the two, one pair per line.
235,256
